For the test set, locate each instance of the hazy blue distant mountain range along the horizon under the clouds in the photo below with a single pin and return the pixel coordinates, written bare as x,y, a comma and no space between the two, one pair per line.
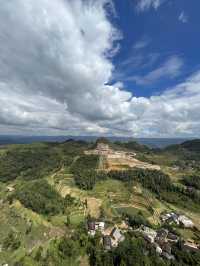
151,142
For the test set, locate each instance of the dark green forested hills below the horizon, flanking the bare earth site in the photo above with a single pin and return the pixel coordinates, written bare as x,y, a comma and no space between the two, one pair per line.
39,159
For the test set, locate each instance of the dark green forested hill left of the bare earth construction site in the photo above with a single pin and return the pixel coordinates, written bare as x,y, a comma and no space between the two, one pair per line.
37,160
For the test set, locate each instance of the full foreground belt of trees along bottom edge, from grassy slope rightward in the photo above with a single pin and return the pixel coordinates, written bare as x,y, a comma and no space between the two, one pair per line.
134,250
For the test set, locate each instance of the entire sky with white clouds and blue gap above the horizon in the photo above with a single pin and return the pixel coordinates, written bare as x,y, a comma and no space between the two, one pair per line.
100,67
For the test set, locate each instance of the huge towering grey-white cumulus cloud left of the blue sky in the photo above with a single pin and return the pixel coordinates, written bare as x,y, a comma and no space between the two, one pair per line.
58,50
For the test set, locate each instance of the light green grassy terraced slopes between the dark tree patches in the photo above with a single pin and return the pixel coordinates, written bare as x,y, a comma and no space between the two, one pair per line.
110,196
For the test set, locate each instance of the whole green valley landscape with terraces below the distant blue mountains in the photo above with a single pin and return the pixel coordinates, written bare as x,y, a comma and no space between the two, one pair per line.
45,203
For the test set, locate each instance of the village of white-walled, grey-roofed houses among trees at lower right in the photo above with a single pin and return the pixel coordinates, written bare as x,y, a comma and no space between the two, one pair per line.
161,239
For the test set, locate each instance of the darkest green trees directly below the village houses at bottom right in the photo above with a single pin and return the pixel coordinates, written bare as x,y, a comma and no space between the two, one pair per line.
135,251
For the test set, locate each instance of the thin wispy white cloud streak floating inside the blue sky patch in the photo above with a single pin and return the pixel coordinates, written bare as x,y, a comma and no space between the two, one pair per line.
169,69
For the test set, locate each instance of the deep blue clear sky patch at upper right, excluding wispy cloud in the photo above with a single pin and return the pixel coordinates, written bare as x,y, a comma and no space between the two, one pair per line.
162,34
